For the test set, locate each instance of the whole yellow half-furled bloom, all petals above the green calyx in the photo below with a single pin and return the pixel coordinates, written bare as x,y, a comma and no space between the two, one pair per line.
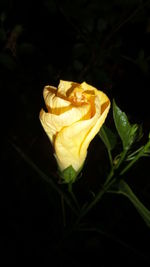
75,114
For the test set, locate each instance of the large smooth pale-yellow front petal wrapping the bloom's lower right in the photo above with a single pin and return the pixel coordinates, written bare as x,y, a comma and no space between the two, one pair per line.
71,143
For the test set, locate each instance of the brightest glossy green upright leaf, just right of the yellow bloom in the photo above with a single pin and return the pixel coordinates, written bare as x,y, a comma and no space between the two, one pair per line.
126,131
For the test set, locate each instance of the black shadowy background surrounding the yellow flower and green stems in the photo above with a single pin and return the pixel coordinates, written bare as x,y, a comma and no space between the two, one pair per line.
105,43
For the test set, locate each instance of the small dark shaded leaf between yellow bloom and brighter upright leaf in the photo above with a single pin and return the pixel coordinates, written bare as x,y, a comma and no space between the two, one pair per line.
108,137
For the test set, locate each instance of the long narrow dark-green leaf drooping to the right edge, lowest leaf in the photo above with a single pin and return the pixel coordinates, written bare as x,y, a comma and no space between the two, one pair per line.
124,189
